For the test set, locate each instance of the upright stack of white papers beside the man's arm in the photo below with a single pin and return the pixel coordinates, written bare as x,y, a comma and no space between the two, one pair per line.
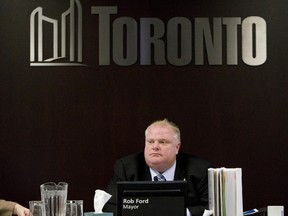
225,191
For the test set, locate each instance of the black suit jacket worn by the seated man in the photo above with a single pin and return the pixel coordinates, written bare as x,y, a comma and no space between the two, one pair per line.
194,170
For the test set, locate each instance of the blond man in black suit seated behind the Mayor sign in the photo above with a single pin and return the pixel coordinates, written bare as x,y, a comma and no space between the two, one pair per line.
161,156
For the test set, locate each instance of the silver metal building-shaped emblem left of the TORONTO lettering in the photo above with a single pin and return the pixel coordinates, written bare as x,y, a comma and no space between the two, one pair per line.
66,37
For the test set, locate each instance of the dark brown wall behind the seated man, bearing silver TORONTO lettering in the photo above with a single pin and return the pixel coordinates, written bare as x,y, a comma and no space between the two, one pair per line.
70,123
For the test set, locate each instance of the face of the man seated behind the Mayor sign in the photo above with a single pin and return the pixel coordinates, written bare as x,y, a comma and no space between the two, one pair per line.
161,147
